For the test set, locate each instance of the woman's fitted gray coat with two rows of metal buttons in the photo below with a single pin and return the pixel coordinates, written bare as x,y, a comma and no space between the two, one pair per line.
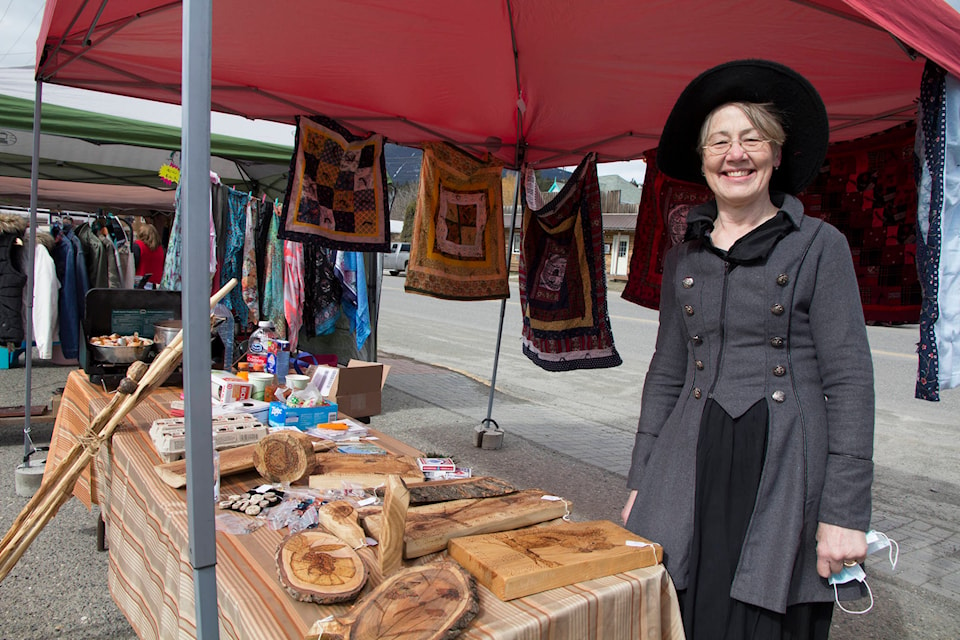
789,329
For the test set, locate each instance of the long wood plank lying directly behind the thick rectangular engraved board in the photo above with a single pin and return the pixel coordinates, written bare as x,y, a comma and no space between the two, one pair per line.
429,527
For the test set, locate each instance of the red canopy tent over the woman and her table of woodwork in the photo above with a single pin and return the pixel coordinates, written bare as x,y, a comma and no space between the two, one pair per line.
539,82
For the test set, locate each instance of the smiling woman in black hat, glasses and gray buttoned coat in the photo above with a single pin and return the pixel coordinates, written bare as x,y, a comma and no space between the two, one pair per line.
754,499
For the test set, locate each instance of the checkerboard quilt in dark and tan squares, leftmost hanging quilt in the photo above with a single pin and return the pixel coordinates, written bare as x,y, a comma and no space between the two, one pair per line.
336,191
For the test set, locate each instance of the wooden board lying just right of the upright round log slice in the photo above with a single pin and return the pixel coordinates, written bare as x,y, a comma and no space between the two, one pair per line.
367,470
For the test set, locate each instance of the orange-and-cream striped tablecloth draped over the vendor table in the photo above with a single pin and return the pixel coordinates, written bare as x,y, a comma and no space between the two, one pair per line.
151,579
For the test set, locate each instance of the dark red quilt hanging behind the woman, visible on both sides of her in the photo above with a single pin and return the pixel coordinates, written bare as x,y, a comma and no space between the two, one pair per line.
865,188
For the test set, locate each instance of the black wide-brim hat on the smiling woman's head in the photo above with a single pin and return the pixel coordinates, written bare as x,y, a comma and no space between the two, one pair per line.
797,103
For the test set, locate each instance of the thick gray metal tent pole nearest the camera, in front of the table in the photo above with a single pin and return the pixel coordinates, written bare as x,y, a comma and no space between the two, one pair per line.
197,55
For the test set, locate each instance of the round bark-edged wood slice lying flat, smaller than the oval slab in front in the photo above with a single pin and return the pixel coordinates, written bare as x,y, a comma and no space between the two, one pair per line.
314,566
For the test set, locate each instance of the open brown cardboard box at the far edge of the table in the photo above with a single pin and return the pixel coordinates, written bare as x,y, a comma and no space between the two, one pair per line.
355,388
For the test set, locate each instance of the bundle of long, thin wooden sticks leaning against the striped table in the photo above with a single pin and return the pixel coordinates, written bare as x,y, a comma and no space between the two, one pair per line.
54,493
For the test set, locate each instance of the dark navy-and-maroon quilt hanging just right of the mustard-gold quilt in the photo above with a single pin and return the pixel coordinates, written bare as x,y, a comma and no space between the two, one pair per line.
563,288
